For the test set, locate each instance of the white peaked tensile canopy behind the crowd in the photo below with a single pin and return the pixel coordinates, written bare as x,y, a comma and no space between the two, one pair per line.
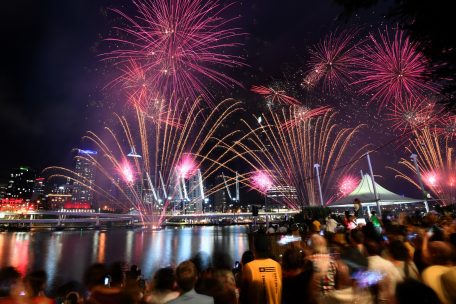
365,193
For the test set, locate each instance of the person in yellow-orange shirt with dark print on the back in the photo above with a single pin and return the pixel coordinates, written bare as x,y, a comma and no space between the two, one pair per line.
261,278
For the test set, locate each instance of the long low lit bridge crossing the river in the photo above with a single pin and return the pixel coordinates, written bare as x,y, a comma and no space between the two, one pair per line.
84,218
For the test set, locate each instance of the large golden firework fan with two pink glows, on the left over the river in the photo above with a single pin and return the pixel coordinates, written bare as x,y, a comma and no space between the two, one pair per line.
147,163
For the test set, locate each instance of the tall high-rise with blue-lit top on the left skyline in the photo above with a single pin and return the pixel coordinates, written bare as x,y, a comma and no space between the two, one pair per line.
85,176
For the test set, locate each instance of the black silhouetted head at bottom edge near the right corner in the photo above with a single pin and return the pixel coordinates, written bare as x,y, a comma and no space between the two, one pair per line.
413,291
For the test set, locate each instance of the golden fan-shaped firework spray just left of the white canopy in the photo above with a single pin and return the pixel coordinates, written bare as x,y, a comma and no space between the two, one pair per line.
289,154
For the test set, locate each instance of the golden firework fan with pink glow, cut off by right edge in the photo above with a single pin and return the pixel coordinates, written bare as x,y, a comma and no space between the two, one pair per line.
436,163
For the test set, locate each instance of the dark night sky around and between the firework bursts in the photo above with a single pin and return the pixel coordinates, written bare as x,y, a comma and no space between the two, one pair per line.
52,79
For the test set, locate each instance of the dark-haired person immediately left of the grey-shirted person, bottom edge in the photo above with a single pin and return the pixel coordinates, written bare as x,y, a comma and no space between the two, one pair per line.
163,287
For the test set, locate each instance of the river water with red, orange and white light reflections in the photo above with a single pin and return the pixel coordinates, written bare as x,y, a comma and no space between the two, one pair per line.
66,254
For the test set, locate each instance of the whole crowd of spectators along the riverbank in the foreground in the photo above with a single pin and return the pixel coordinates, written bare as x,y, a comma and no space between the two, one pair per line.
340,259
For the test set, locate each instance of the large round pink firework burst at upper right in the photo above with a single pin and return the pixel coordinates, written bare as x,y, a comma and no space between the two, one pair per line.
392,70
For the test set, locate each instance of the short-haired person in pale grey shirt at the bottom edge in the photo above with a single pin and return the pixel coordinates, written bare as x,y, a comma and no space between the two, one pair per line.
186,276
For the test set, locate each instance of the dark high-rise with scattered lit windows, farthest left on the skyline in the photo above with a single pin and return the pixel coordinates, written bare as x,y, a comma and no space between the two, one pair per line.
20,184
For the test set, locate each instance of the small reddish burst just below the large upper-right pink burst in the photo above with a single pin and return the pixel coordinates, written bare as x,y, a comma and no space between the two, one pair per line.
413,113
